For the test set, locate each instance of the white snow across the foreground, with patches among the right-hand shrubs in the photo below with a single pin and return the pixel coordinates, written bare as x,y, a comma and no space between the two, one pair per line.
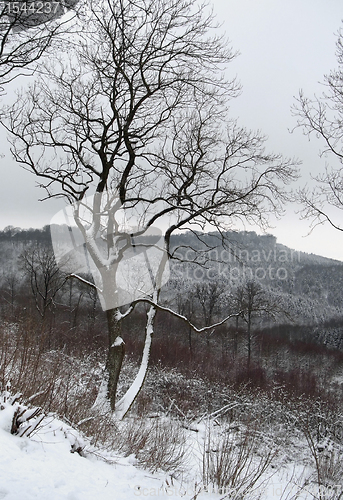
47,466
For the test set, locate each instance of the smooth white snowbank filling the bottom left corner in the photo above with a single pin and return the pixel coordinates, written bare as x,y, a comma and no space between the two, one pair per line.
43,467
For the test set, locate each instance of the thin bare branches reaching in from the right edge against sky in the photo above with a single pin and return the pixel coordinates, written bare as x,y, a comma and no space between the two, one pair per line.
322,117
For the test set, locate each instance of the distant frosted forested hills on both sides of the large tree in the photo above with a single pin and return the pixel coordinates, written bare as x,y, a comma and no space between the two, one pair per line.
308,285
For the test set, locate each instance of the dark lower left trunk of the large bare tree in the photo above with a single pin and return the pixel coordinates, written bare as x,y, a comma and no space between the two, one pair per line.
116,352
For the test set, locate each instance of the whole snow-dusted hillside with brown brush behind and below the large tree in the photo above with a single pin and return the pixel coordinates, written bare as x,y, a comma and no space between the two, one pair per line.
207,424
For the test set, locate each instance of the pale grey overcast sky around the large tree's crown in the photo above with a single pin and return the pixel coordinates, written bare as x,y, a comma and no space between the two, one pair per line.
283,46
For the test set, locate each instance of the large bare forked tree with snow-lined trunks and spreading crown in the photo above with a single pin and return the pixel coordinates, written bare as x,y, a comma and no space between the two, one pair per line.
138,116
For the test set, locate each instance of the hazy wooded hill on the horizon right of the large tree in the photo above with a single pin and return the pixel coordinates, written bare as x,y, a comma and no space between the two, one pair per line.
236,256
